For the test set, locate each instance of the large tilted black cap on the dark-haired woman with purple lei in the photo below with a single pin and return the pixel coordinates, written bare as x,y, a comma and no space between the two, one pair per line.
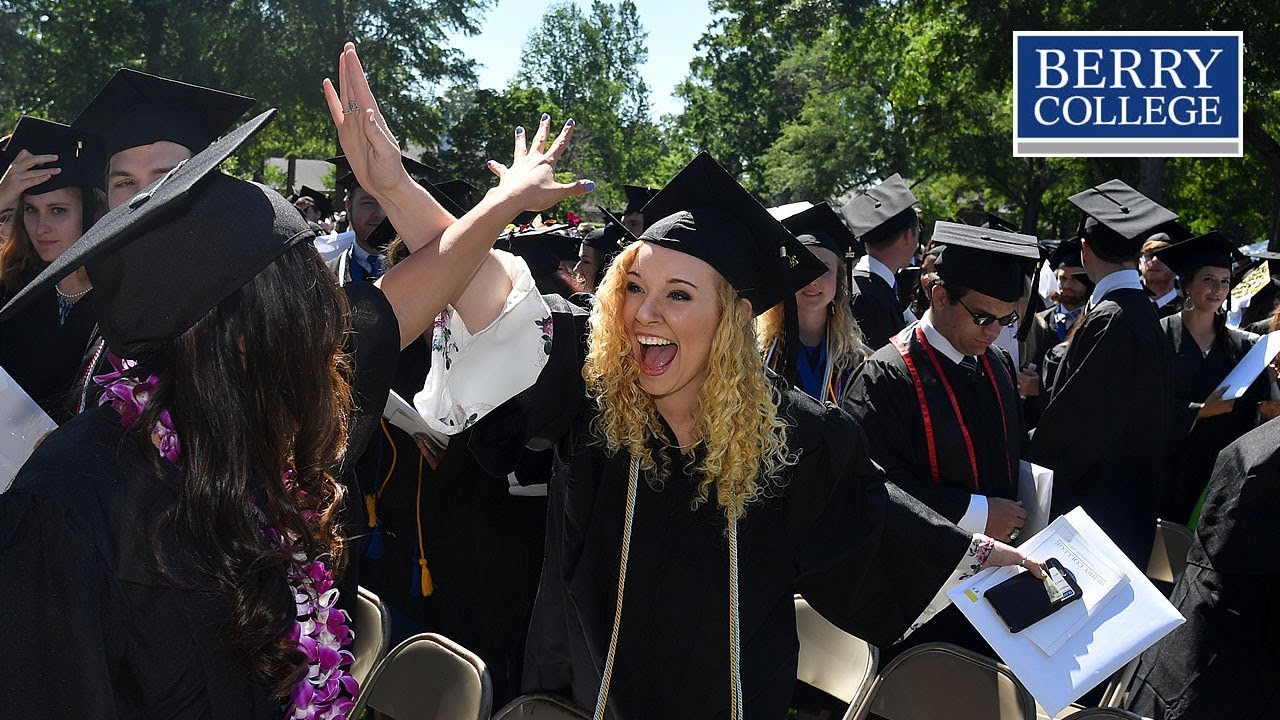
163,259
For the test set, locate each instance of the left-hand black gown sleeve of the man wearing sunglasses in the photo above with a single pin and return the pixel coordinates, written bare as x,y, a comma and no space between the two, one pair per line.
881,400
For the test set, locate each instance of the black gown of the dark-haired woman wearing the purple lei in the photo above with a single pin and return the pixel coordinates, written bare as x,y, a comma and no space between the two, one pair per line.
93,628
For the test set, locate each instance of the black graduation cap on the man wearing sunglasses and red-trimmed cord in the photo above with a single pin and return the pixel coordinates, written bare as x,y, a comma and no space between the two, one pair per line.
988,261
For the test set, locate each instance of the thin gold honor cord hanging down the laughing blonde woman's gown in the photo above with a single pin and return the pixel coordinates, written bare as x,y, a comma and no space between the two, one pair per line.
734,622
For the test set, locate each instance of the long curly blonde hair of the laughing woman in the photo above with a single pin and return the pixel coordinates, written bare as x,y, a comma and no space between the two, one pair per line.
738,417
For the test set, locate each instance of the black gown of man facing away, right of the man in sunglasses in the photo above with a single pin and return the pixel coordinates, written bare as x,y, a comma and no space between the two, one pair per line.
1107,429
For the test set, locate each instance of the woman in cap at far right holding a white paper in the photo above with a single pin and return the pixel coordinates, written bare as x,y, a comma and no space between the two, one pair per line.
1205,353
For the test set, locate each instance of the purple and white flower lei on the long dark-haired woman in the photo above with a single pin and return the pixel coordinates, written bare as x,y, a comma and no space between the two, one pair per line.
321,630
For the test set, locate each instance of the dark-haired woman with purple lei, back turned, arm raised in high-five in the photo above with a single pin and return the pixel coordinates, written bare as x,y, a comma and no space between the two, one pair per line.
171,554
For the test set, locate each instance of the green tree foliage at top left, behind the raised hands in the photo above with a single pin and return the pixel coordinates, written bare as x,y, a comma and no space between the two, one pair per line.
272,51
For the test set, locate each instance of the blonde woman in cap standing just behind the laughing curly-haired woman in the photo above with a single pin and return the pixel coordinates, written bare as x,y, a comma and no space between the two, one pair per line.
822,347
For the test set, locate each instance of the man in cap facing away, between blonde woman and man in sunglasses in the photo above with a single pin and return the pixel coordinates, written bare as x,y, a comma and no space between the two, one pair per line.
885,222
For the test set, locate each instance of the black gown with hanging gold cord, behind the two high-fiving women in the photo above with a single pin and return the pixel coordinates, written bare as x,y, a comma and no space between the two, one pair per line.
483,545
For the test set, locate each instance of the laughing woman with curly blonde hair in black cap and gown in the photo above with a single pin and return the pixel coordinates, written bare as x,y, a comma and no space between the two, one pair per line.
697,495
